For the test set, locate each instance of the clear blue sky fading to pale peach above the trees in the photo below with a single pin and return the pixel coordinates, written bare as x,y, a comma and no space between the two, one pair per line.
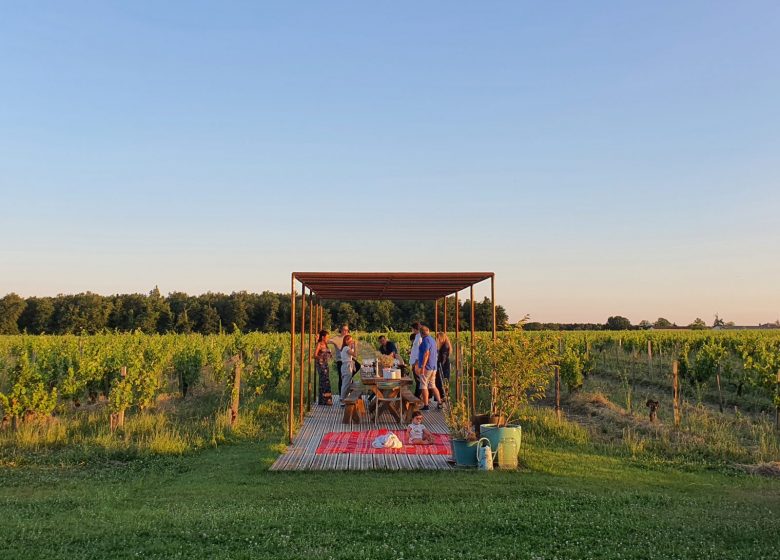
602,158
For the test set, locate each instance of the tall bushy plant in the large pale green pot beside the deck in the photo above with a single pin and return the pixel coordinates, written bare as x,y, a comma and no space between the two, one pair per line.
519,371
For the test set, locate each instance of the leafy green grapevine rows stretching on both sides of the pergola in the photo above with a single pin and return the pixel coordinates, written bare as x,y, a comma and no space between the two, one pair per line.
181,392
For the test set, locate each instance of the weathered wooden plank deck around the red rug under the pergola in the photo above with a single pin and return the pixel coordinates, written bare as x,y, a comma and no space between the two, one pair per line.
301,455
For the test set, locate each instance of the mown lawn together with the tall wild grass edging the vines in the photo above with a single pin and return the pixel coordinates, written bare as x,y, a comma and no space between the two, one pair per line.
178,482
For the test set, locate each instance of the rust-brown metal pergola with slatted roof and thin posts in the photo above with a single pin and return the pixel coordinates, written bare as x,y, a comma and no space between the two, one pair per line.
397,286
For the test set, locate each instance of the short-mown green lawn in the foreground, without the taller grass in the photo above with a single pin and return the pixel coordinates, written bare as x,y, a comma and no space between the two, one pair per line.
224,503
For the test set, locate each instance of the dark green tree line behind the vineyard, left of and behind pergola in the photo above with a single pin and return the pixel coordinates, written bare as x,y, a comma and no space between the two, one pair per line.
211,313
